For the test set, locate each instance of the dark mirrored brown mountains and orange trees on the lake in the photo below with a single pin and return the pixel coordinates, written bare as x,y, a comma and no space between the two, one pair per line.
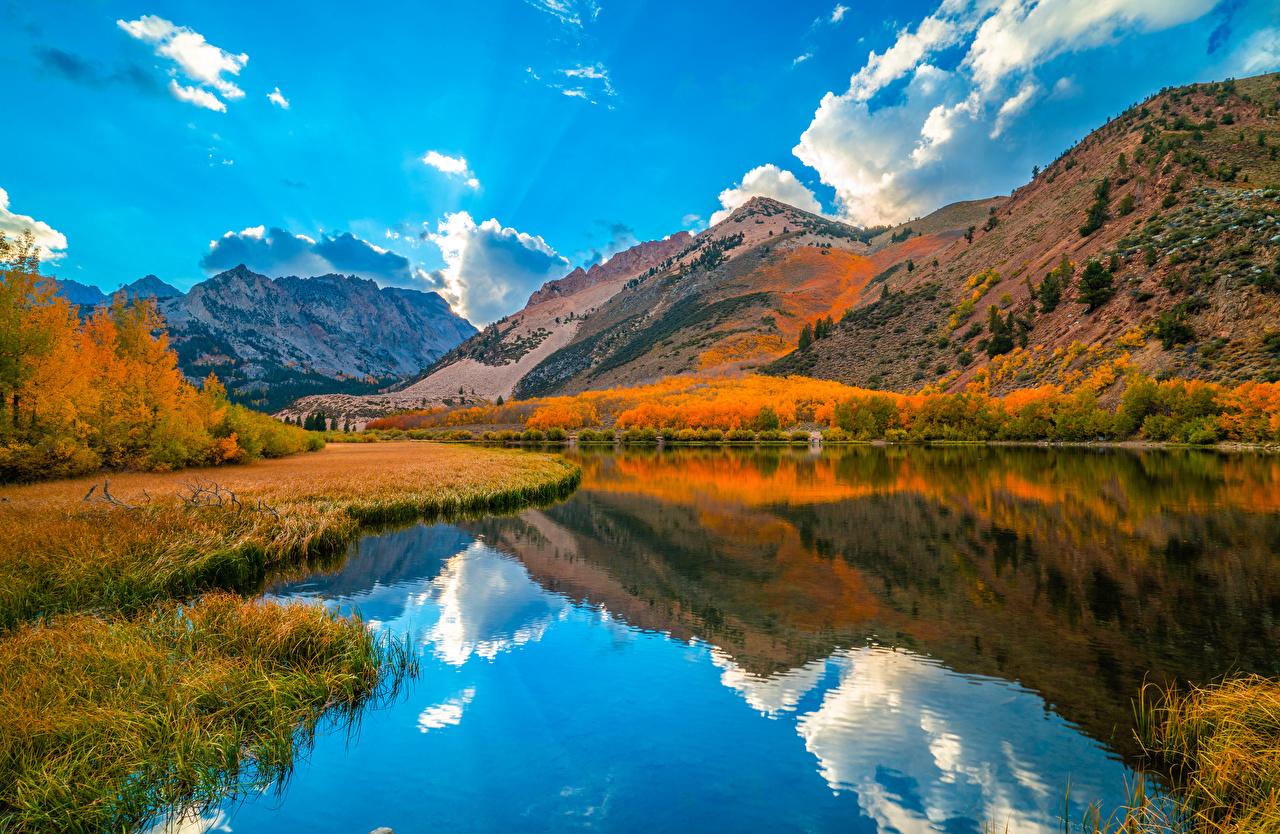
1076,574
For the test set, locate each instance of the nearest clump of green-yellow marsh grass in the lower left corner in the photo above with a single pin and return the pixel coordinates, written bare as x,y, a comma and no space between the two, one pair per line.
111,722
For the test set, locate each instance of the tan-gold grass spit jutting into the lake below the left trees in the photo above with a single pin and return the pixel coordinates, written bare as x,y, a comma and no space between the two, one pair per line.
61,553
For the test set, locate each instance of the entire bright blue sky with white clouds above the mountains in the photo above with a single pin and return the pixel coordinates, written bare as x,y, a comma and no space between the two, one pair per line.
479,149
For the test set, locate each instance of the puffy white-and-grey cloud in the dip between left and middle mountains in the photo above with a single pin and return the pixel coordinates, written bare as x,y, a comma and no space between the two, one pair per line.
491,269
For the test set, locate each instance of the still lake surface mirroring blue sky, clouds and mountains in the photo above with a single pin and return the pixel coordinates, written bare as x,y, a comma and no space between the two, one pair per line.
862,640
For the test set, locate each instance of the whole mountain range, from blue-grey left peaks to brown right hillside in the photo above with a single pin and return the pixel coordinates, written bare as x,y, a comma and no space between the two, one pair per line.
1154,244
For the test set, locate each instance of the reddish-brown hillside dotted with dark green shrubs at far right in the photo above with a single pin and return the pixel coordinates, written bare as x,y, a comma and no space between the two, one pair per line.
1177,200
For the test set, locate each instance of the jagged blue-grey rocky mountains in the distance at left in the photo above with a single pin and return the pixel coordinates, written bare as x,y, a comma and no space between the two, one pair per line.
272,341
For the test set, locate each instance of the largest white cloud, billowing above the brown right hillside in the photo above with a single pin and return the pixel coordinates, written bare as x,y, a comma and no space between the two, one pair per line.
931,136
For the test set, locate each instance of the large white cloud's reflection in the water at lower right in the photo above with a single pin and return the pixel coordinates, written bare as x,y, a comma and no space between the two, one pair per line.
918,746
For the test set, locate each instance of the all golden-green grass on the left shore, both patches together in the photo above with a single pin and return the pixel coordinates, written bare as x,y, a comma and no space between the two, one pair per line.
132,682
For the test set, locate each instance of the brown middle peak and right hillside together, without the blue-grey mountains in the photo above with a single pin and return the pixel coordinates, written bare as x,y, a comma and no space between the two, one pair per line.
1176,203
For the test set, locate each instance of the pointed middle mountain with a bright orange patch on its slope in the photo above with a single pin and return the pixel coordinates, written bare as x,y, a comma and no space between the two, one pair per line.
735,299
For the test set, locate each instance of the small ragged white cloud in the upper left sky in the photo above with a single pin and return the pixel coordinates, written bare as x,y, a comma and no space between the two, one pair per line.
200,62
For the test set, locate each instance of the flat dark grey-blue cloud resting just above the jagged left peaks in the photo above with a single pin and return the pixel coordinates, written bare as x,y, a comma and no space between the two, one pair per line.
276,253
